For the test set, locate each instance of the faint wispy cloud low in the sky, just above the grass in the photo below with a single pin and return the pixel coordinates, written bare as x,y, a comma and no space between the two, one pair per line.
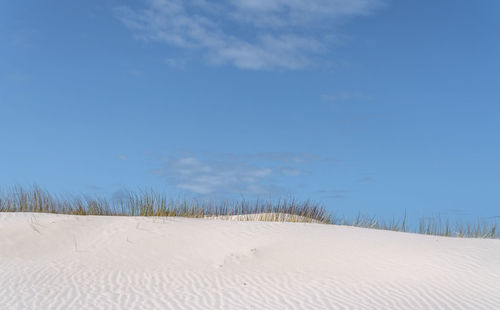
262,174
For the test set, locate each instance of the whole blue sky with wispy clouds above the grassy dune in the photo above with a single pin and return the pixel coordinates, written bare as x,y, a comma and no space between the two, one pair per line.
377,106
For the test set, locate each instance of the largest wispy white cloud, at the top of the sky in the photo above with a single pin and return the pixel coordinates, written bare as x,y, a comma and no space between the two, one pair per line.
259,34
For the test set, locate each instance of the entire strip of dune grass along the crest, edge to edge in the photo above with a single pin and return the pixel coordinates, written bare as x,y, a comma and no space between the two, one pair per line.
149,203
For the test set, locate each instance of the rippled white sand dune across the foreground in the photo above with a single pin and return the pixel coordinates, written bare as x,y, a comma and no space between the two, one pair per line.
73,262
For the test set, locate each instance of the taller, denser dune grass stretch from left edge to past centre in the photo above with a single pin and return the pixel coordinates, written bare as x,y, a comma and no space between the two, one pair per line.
149,203
